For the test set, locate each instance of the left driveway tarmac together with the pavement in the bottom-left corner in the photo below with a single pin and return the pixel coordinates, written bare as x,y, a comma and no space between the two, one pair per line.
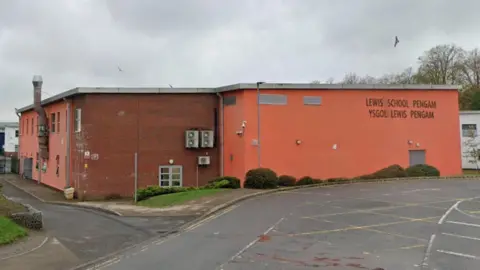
83,234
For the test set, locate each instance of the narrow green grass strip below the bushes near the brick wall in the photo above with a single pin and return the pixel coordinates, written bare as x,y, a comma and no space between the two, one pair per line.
178,198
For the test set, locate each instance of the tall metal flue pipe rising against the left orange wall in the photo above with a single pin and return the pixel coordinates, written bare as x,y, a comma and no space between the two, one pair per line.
42,117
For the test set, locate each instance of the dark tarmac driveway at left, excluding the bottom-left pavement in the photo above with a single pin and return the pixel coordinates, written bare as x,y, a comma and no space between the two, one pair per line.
90,234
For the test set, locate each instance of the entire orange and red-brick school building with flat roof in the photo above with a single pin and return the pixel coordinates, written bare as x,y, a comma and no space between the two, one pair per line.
102,140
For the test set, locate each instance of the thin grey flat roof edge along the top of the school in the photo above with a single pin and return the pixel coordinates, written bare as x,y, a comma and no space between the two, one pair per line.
233,87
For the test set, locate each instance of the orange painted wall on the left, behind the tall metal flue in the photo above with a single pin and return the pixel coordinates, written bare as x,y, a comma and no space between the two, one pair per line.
57,145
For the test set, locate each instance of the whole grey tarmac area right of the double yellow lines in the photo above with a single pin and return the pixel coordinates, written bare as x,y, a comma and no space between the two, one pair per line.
393,226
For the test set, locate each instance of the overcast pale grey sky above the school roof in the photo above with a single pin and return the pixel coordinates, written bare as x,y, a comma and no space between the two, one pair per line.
208,43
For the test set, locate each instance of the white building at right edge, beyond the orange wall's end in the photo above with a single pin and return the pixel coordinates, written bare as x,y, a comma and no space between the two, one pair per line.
469,124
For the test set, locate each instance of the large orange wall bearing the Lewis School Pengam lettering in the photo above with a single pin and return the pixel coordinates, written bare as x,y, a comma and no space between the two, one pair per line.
364,144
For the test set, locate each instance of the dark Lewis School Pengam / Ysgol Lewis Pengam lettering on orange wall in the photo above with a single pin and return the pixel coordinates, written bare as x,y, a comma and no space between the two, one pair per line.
401,108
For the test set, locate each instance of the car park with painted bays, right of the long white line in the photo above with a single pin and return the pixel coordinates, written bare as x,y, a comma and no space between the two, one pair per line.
392,225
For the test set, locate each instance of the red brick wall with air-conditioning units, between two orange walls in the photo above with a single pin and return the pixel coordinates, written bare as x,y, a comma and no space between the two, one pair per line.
115,126
